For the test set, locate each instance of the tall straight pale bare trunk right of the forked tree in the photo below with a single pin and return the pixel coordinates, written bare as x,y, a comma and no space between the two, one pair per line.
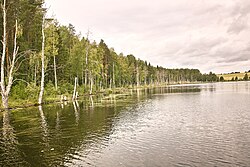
40,99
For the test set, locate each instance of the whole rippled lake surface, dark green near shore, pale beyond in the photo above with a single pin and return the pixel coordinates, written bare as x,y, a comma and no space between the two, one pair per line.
192,125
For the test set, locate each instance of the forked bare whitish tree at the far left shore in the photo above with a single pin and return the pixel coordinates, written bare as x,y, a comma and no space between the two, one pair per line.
5,90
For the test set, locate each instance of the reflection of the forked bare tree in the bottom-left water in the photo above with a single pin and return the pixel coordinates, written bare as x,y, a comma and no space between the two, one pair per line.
10,154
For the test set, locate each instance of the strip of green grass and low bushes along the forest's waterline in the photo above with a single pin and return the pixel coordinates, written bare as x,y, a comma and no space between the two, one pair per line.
22,97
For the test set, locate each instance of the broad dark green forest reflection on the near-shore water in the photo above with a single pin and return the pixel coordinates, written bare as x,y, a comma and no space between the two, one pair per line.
52,134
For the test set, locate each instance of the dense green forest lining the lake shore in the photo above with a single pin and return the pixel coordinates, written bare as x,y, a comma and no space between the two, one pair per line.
37,52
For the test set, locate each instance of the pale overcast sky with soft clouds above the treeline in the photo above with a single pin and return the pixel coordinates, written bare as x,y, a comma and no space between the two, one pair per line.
209,35
